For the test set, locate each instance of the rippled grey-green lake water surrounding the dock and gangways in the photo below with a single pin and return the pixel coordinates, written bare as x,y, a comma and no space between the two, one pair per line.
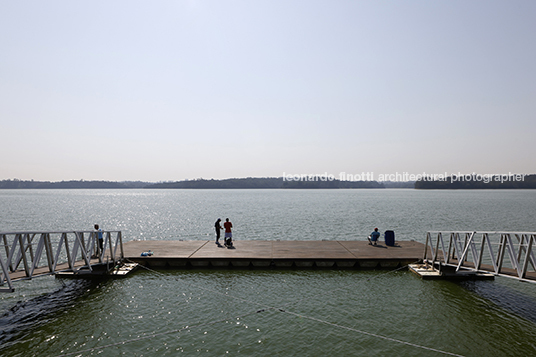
268,312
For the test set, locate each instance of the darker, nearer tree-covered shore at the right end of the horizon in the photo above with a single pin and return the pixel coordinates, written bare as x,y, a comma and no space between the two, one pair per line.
491,182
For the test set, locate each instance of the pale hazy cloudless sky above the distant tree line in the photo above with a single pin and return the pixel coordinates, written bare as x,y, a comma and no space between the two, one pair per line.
173,90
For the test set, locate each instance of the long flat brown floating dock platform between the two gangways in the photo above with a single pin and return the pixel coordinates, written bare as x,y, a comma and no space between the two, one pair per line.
261,253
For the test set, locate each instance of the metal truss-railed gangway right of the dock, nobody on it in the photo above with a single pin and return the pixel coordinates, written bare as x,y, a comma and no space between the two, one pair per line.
508,254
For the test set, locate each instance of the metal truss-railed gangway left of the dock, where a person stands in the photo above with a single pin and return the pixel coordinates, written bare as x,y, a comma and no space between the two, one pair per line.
22,253
